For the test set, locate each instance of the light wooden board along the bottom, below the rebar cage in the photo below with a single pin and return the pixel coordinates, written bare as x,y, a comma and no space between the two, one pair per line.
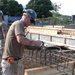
46,70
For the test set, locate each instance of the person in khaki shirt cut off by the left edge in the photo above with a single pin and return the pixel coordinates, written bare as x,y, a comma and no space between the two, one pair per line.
3,31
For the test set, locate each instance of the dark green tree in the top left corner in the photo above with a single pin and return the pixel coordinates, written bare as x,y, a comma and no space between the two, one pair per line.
11,7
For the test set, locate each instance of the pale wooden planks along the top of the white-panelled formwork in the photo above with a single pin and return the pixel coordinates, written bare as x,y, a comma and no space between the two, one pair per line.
52,30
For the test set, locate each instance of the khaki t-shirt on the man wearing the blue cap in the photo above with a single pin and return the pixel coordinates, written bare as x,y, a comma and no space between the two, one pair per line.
12,47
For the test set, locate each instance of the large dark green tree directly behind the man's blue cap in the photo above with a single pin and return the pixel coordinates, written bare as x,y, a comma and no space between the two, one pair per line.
42,7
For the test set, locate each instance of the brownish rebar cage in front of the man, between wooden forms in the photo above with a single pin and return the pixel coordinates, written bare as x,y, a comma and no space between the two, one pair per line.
58,56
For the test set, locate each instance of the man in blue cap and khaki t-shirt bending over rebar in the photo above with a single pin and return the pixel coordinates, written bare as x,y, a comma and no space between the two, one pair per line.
15,42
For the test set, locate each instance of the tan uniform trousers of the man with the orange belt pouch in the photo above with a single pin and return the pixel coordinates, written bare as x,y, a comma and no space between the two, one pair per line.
12,69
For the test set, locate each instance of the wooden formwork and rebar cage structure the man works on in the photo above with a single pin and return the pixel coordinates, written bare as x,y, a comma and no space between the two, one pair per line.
57,55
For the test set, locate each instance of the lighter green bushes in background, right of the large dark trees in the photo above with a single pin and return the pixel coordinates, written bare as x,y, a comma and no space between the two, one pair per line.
60,19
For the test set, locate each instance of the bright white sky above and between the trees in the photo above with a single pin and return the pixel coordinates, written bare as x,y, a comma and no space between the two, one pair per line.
67,6
